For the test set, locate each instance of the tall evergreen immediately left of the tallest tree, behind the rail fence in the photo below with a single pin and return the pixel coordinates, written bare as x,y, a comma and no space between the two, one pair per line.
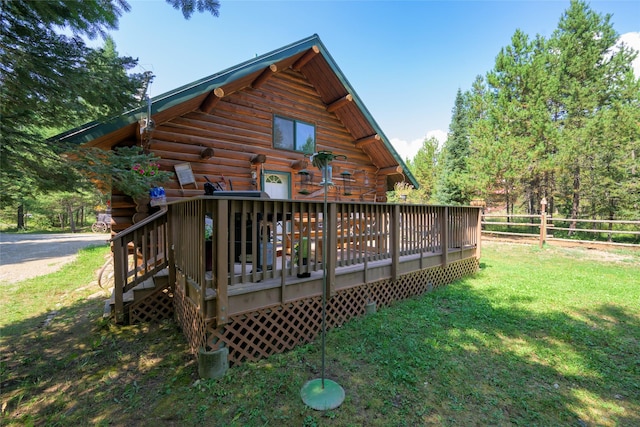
520,122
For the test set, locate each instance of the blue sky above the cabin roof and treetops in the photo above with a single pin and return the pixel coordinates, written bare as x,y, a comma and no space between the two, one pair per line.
405,59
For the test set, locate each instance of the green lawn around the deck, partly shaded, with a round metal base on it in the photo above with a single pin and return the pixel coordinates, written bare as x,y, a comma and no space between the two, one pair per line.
538,337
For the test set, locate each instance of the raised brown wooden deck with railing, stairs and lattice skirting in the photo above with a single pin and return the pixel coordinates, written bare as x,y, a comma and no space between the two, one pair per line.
261,293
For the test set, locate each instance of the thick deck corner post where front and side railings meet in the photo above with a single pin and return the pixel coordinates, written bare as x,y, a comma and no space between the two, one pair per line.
222,261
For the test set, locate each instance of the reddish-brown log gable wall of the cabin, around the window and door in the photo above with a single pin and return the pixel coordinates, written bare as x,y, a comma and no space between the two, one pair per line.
239,127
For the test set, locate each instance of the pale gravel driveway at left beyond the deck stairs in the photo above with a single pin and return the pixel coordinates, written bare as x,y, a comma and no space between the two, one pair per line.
23,256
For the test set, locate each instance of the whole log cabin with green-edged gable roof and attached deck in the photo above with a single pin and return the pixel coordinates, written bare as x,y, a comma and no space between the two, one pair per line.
254,288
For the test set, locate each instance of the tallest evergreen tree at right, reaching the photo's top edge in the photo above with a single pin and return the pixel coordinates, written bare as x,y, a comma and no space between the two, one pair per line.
590,75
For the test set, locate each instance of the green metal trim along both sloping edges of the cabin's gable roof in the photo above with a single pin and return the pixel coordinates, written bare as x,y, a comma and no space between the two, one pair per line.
97,129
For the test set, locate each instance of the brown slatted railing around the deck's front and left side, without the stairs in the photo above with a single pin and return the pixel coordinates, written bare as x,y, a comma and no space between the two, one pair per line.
266,242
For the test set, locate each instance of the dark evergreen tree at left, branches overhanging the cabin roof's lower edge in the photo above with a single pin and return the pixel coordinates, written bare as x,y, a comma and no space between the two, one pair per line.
51,80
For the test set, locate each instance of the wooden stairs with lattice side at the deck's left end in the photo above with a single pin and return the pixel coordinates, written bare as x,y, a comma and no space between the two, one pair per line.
148,300
